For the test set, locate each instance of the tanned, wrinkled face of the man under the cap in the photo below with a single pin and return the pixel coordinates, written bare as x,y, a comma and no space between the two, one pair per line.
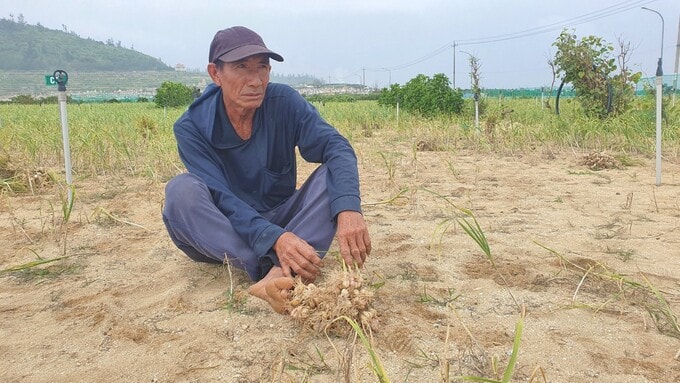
243,82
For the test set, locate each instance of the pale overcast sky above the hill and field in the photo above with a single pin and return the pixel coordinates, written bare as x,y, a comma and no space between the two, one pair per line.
376,42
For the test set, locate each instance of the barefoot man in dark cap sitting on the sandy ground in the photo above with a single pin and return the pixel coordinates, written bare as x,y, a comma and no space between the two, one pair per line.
238,201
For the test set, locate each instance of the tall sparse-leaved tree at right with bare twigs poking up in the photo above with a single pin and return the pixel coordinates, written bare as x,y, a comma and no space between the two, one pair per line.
587,64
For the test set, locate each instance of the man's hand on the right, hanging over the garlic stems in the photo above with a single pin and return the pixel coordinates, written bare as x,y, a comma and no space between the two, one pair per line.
353,238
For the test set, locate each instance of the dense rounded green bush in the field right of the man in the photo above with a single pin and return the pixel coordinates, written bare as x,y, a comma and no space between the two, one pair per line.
425,96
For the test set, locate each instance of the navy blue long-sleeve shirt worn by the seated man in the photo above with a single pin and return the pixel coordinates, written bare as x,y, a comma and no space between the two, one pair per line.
246,177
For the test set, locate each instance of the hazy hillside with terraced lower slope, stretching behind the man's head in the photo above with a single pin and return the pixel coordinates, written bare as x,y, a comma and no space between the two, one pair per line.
97,70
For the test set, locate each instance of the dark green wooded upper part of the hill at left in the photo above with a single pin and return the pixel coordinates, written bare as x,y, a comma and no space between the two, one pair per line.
34,47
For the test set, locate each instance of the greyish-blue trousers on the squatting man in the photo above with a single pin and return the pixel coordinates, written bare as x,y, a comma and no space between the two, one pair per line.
204,234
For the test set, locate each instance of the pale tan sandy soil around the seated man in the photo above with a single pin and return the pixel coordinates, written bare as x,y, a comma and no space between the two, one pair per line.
585,254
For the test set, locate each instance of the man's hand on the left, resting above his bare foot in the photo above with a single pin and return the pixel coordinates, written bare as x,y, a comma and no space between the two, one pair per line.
297,256
